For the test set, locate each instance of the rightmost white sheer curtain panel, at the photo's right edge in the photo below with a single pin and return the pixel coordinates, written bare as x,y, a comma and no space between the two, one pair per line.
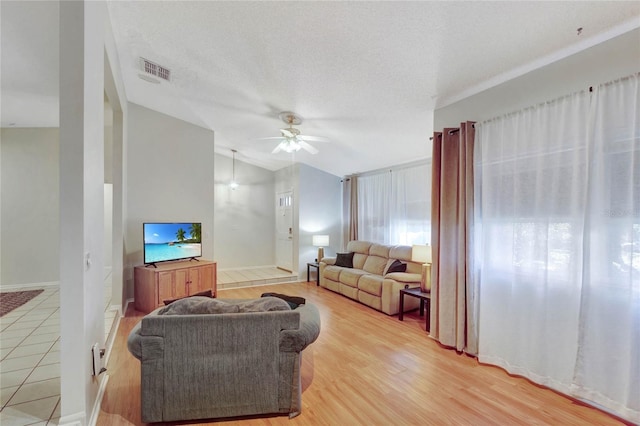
608,361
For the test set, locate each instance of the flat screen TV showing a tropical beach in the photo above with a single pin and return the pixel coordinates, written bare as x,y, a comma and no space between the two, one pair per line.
171,241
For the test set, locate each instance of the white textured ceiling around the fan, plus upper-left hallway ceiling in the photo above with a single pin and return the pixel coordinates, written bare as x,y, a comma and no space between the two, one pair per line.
366,75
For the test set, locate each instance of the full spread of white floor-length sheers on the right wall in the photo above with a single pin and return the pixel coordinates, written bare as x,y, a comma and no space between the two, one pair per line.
559,244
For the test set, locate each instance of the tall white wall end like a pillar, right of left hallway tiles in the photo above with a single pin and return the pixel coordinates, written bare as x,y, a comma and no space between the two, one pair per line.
81,204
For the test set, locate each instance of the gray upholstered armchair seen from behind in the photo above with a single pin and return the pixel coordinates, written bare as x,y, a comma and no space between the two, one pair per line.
222,365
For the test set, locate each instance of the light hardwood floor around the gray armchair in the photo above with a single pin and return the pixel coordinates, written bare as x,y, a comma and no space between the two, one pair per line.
369,368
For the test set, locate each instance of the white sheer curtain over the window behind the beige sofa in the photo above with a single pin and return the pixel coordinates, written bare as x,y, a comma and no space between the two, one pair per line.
394,207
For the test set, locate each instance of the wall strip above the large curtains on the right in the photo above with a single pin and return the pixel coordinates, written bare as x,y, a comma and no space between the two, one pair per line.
612,59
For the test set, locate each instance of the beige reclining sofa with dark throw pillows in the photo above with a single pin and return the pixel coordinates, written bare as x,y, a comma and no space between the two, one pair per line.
368,281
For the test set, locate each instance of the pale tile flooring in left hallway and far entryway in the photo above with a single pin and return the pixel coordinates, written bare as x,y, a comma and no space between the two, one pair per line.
30,352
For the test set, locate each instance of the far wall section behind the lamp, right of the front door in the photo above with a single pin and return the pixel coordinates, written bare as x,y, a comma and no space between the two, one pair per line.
319,212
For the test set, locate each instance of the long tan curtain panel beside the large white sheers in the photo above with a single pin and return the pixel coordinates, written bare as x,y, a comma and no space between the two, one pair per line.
453,313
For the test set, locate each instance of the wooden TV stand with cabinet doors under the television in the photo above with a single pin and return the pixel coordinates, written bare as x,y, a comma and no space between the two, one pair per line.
172,280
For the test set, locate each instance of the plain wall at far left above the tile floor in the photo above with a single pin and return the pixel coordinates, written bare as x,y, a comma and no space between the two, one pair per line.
30,206
